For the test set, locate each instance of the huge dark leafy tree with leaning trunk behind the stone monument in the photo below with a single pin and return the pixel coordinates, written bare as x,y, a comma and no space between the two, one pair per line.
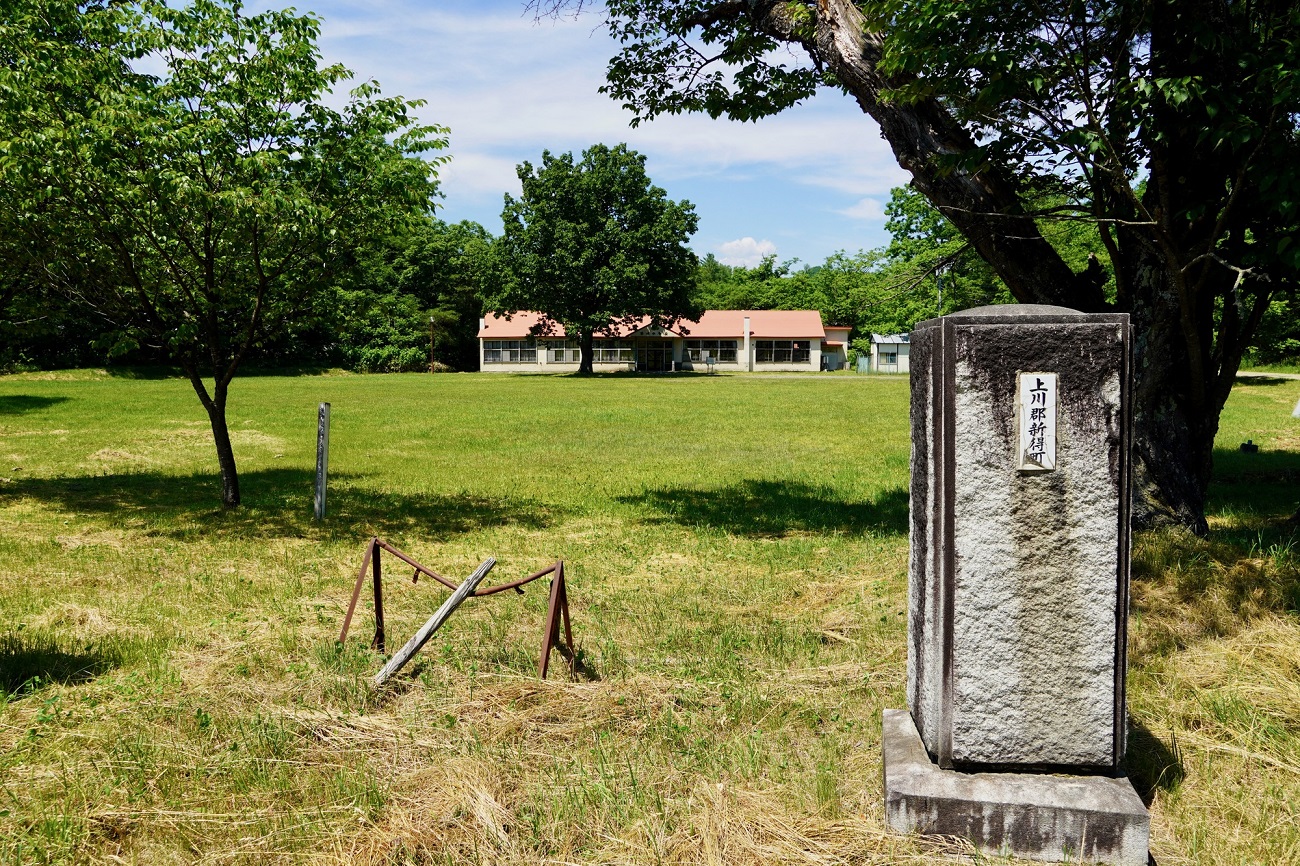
1169,125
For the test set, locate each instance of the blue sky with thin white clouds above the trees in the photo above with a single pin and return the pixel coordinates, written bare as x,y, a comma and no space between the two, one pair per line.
800,185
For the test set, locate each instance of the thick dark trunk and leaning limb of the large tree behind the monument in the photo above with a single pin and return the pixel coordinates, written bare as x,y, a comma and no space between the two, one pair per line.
1178,392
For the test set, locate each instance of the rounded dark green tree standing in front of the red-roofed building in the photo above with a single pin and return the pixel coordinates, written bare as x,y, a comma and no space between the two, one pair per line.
593,245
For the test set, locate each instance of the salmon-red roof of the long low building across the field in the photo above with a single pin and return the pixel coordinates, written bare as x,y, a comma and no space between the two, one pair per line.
764,324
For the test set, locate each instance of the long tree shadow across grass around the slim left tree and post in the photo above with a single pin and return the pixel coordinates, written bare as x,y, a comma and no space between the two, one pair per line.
278,504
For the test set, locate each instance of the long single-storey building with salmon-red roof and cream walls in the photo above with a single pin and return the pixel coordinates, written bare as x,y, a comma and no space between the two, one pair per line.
725,340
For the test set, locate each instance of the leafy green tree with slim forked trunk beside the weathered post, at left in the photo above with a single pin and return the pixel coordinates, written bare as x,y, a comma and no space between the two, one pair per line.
203,207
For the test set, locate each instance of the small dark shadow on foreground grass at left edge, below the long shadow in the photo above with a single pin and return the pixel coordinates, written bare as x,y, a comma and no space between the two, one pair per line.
33,660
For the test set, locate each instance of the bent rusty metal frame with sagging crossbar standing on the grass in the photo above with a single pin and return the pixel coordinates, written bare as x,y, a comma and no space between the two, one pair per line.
557,609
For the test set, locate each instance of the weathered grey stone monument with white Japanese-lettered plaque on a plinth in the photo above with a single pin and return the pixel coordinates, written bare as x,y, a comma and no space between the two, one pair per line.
1019,588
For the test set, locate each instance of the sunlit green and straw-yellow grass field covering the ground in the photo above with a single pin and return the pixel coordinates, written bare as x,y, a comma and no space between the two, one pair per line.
736,549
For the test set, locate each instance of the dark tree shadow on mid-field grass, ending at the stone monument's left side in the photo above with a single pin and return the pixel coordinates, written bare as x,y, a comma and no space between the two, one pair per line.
761,508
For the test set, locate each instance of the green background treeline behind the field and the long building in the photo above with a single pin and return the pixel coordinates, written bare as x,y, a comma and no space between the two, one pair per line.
431,283
